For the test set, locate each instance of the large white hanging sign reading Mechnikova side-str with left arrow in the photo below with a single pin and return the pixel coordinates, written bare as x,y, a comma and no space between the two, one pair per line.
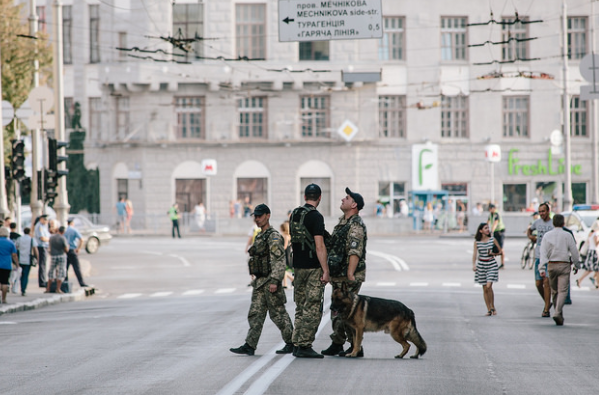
311,20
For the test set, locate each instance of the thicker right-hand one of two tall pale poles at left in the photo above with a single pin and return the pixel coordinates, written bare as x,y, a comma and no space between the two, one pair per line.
62,205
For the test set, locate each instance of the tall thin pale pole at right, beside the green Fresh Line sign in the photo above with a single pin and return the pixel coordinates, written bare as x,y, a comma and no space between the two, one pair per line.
567,201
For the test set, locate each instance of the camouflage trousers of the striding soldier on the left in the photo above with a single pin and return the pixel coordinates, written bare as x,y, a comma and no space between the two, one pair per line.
263,301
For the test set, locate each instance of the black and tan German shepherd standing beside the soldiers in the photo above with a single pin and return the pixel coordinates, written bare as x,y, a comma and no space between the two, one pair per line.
367,314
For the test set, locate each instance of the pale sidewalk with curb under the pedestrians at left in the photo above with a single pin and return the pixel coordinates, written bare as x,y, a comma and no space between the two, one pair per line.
36,297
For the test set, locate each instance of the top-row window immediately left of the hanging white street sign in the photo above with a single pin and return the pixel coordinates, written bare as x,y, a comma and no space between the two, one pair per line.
251,30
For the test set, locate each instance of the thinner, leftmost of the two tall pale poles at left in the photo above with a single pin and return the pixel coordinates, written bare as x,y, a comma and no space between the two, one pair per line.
35,204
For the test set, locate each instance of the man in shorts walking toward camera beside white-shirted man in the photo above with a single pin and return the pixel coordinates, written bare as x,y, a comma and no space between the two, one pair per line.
542,225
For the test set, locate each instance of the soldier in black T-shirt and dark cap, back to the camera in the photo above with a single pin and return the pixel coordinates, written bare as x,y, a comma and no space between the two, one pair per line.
306,228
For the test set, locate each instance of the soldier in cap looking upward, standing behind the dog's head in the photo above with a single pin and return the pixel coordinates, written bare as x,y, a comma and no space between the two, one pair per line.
347,265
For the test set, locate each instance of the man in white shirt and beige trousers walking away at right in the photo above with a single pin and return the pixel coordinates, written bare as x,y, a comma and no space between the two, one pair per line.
558,251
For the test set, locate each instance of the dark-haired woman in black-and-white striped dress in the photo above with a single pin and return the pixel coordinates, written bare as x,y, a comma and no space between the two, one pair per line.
485,267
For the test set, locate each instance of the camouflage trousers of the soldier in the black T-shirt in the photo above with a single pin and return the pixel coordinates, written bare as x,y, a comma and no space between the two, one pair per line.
308,293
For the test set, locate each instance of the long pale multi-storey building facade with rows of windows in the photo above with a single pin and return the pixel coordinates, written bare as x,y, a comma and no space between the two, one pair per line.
198,101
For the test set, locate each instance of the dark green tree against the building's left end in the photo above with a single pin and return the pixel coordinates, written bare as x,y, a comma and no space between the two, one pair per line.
83,185
